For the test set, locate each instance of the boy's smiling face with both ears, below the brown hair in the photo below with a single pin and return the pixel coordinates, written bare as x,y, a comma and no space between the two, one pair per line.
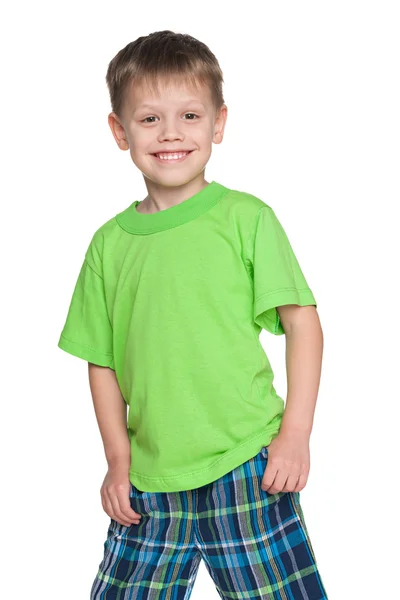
181,118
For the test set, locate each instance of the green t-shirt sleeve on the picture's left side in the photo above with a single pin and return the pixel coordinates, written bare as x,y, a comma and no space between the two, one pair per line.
87,331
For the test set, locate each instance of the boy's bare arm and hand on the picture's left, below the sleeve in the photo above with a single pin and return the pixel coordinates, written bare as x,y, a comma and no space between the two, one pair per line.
110,409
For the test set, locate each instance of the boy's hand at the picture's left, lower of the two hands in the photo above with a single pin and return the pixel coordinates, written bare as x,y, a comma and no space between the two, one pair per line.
115,497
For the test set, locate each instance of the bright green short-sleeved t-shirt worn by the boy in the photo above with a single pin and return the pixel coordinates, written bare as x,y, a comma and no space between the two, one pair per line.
174,302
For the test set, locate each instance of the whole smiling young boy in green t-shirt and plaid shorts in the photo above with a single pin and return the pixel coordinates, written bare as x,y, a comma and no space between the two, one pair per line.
167,310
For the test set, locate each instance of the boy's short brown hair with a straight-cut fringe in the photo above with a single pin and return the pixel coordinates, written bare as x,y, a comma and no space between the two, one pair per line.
163,55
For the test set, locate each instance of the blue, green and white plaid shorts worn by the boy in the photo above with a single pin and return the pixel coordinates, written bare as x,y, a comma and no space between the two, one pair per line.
255,545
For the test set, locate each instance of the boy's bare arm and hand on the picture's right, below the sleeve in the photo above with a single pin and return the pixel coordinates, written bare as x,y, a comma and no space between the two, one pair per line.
288,463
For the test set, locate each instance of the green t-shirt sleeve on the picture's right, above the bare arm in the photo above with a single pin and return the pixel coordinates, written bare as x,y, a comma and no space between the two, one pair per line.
275,271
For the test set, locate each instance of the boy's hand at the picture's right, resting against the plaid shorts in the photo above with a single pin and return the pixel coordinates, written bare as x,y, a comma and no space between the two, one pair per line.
288,463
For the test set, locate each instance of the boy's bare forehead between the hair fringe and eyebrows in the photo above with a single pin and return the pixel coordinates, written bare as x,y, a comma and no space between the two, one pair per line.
174,92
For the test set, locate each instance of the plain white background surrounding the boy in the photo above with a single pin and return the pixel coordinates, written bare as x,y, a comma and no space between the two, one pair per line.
312,90
